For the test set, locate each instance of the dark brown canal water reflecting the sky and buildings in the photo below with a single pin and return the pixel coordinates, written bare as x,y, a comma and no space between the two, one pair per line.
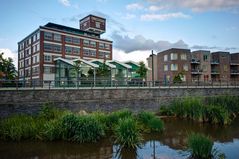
169,145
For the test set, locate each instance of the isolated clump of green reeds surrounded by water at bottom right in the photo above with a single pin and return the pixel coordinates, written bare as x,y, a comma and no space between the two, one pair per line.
200,146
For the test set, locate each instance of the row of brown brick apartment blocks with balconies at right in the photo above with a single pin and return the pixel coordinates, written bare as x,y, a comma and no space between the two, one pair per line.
196,66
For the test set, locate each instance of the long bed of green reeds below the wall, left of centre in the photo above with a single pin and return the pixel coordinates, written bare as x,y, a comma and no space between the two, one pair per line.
54,124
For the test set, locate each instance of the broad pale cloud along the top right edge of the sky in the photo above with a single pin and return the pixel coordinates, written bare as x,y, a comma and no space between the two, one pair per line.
199,5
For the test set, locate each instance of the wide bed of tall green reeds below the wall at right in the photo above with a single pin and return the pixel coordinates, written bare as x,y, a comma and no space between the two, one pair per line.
216,110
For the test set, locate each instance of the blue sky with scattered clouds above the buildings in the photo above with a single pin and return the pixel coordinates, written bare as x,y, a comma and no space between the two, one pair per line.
135,26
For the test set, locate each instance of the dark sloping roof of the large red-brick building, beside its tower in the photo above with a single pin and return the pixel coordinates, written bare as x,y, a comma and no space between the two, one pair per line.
69,29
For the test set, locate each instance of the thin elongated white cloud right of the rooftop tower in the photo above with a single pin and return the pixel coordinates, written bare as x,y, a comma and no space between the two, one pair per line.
162,17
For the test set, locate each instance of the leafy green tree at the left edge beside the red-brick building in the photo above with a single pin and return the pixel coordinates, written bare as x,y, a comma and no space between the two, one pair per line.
7,68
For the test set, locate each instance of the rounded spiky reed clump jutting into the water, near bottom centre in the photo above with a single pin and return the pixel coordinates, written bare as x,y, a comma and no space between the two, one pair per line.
127,133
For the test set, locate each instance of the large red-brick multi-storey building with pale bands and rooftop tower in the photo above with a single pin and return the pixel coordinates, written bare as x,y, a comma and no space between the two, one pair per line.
37,51
